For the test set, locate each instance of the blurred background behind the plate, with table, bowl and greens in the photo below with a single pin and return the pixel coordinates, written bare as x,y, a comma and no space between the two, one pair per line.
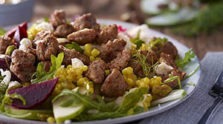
196,23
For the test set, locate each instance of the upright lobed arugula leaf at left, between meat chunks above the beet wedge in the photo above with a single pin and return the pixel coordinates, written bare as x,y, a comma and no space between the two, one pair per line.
41,75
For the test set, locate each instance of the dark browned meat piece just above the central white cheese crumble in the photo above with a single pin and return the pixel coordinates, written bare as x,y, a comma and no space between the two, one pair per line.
72,53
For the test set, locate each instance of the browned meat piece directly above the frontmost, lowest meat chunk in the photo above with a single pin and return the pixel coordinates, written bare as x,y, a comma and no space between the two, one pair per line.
121,61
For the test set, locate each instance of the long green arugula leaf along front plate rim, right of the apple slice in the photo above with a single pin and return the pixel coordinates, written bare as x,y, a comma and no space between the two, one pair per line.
127,107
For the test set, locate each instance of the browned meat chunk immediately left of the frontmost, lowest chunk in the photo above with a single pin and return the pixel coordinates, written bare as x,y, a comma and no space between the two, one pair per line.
96,71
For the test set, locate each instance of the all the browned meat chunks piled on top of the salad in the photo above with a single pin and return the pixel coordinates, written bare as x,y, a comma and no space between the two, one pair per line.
84,29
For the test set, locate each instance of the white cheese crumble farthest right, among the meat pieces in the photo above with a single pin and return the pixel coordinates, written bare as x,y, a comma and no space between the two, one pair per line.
163,68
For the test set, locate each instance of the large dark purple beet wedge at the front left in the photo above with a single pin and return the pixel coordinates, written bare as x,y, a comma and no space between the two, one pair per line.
34,94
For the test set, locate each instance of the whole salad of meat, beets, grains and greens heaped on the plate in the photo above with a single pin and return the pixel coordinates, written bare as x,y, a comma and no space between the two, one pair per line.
59,70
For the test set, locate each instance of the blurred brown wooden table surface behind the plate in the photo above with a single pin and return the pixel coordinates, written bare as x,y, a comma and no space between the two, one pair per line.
112,9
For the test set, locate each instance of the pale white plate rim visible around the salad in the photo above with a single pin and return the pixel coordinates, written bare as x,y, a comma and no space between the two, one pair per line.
152,111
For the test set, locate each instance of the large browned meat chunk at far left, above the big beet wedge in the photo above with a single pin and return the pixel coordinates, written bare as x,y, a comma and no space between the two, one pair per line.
22,65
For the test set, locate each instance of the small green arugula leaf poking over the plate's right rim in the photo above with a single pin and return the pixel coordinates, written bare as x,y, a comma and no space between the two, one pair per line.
187,58
